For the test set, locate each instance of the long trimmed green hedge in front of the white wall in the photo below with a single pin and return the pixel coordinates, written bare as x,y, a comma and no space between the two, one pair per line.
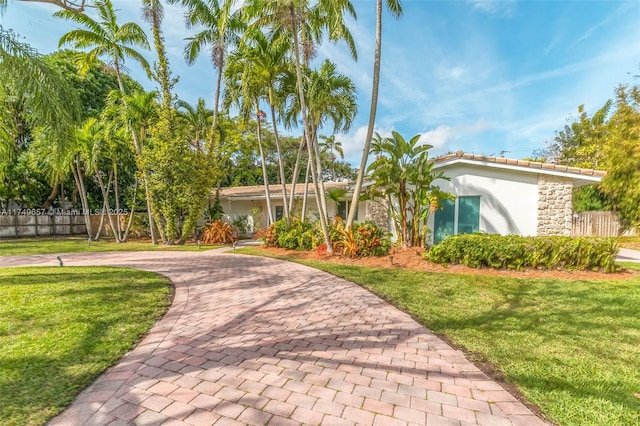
517,252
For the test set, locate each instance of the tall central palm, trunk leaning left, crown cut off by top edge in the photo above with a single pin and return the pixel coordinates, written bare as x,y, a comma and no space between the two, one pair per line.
298,17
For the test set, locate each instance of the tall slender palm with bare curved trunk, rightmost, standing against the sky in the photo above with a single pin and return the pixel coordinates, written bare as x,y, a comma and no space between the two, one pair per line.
395,7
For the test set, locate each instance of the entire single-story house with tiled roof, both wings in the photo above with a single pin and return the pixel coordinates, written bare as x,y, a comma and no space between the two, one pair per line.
493,194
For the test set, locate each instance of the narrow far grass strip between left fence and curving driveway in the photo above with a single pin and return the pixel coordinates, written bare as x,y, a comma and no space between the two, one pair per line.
76,245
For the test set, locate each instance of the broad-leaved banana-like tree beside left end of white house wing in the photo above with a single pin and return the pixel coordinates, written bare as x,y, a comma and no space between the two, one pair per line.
402,175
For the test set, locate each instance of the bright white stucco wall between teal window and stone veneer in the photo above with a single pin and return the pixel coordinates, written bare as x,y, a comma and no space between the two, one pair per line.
508,199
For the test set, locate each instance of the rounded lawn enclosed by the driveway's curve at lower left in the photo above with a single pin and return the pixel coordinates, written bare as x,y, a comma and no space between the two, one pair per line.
61,328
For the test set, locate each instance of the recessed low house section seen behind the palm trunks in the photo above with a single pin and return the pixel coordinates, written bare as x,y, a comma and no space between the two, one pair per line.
250,201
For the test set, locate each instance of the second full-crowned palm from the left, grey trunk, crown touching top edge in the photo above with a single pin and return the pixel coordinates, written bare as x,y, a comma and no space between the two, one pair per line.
222,24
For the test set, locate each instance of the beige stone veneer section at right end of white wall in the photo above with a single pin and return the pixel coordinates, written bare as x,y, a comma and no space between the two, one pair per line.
554,205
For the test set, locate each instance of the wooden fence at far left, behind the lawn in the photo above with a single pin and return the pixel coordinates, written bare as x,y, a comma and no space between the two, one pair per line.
41,225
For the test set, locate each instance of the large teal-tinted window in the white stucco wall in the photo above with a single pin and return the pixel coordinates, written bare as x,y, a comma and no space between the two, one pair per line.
461,216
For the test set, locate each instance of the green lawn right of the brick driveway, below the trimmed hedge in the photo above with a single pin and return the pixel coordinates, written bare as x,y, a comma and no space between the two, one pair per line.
571,347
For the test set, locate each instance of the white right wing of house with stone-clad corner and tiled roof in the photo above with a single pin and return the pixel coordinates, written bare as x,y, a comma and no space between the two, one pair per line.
506,196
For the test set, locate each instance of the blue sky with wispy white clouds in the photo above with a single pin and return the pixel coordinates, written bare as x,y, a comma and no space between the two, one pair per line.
482,76
